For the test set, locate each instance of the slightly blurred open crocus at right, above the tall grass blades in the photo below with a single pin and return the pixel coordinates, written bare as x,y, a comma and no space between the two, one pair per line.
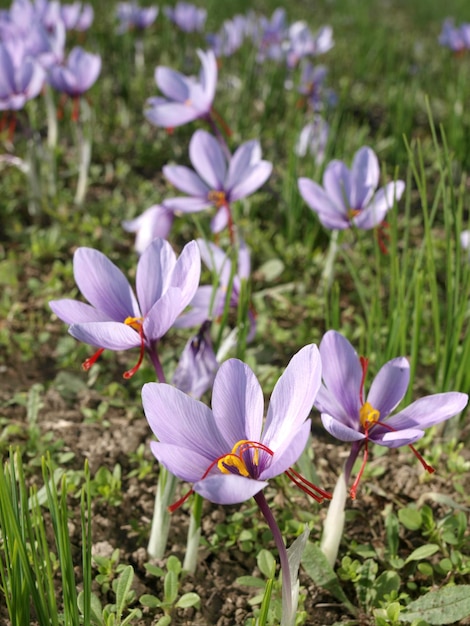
348,197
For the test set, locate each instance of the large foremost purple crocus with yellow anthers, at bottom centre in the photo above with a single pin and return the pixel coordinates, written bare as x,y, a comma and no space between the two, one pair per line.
228,453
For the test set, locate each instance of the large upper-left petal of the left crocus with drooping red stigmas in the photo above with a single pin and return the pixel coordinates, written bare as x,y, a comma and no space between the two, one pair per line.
104,285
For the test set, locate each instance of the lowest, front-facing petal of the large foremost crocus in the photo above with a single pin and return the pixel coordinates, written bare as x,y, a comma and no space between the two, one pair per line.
228,488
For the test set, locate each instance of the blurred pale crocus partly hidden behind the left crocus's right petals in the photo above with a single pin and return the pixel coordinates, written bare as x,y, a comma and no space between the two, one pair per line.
209,301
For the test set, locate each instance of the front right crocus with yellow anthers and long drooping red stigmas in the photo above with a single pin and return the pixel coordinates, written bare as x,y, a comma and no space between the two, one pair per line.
350,415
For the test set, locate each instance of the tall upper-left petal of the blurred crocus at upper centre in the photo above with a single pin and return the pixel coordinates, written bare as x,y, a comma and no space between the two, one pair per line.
208,159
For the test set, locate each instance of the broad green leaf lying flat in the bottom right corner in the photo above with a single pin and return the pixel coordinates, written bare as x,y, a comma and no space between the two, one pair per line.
445,606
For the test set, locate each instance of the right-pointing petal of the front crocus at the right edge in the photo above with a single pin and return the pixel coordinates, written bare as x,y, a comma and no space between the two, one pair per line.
429,411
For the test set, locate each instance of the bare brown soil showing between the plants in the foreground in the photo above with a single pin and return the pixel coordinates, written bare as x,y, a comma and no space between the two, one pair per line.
125,526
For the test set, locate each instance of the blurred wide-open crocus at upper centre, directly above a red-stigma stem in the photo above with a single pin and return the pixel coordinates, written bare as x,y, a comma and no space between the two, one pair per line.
216,183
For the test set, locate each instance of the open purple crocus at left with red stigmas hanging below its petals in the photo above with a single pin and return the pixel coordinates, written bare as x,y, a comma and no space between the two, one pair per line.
115,319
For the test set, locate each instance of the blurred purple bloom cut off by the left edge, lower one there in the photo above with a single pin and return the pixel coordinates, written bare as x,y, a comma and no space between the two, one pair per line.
21,77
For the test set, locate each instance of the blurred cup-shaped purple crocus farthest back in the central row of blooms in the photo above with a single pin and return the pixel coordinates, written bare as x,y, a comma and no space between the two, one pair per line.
186,99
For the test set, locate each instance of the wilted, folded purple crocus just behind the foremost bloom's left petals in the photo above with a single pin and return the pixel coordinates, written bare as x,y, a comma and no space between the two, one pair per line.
198,364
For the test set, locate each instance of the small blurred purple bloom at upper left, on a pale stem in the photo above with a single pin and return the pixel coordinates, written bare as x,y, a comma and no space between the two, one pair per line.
78,74
